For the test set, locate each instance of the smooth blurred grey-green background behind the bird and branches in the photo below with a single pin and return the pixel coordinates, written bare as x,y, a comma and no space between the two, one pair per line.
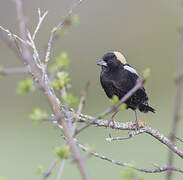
145,31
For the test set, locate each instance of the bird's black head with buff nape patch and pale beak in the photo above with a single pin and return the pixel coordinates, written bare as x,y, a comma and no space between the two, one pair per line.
112,60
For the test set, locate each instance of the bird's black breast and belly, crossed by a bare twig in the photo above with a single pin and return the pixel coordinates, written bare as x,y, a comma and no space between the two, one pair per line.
119,82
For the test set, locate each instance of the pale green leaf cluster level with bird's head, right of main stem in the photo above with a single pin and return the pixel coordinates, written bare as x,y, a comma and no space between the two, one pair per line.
60,61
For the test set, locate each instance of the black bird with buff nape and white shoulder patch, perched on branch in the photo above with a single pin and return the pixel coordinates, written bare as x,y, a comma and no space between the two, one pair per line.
117,78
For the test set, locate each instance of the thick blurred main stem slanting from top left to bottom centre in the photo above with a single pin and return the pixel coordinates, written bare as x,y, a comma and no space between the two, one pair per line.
48,90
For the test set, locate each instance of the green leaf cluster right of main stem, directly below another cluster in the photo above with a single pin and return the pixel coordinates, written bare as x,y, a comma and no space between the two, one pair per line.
61,80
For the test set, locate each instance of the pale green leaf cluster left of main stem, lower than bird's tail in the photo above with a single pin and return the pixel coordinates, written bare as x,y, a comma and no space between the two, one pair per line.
38,116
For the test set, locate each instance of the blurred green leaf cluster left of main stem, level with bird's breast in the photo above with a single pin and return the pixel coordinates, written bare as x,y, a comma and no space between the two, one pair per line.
25,86
